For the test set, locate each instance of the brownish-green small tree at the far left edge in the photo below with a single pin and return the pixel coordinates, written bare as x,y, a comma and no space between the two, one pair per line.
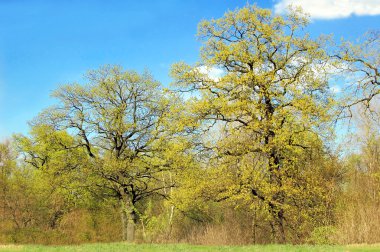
21,204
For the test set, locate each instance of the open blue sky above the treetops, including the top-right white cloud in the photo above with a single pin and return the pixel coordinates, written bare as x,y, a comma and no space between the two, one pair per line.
47,43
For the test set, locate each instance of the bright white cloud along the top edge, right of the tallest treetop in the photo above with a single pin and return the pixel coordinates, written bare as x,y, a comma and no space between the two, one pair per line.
331,9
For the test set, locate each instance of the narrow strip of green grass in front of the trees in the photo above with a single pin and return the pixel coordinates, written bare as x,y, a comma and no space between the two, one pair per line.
183,247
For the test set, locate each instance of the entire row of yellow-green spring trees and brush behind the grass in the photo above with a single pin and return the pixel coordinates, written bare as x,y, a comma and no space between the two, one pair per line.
240,149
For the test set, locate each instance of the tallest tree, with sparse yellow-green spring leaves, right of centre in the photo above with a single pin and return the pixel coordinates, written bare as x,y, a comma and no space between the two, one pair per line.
272,105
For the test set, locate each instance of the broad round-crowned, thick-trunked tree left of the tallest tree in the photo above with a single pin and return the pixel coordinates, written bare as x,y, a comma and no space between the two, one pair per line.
123,120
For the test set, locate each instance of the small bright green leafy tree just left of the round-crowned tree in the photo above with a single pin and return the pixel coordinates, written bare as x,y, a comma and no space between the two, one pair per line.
57,167
